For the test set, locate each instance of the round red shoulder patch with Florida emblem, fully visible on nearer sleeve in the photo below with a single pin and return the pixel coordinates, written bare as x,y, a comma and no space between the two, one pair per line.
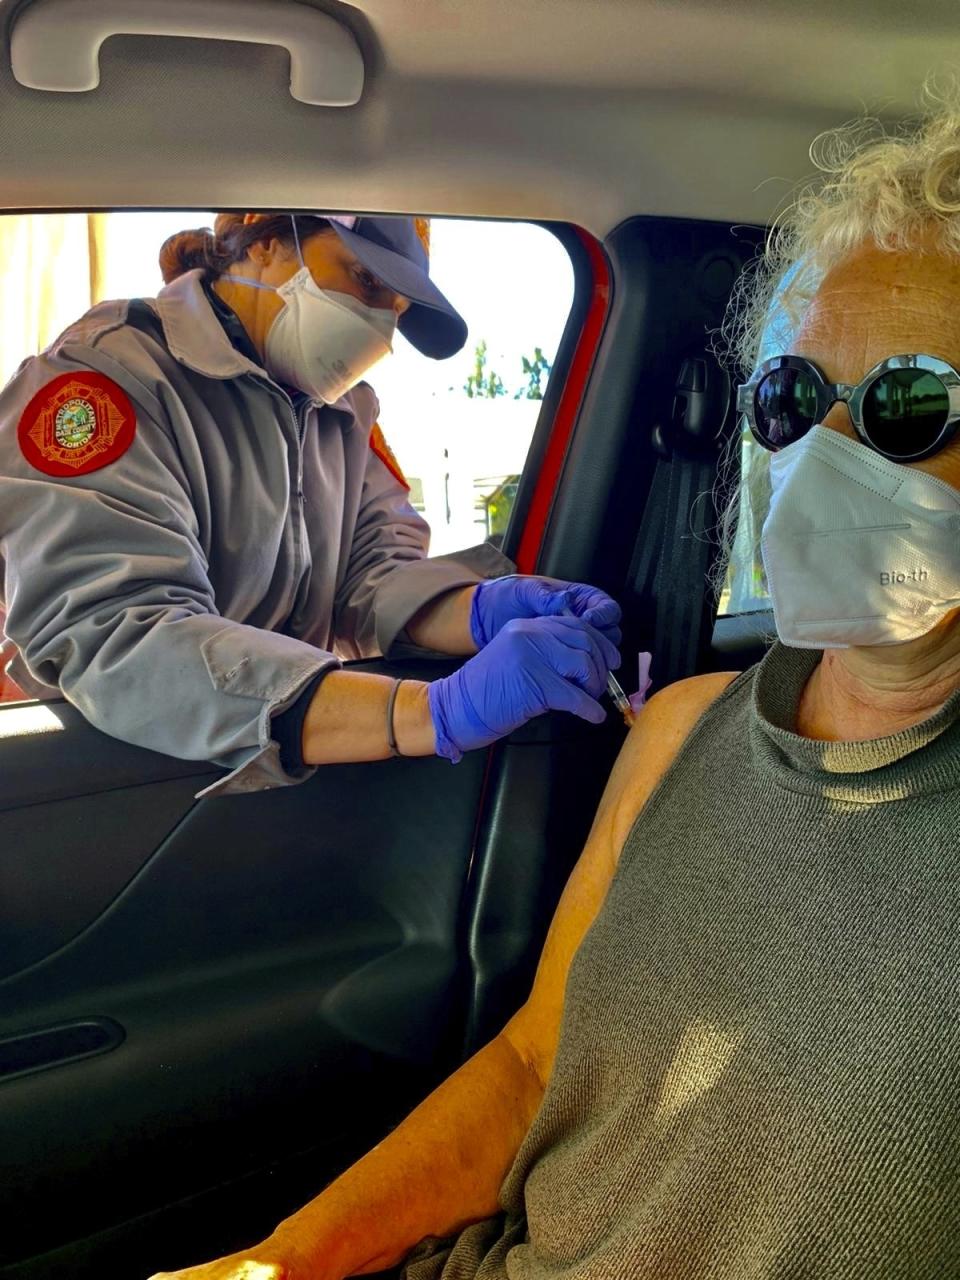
76,424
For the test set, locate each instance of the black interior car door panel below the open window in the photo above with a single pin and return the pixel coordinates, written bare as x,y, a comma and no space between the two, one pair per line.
282,967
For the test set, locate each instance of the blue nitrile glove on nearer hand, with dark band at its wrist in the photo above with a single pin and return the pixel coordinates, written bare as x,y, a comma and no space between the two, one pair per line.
532,666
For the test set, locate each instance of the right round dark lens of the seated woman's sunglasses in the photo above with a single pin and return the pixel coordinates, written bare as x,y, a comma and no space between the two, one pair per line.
904,412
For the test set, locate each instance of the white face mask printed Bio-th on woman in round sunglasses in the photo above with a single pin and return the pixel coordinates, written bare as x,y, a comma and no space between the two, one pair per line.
858,550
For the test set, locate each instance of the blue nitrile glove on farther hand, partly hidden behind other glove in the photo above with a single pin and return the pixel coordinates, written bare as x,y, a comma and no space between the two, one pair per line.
500,600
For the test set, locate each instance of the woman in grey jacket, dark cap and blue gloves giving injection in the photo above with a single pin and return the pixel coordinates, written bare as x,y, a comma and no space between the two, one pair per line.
200,518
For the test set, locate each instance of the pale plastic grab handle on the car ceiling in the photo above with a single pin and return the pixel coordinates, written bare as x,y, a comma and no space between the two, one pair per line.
56,44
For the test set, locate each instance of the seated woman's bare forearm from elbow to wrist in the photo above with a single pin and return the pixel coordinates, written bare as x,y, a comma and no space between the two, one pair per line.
438,1172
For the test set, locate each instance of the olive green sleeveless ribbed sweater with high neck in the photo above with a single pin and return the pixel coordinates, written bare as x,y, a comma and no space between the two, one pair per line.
758,1076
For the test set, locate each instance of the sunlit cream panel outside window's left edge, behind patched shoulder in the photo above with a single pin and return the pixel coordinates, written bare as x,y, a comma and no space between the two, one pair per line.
53,268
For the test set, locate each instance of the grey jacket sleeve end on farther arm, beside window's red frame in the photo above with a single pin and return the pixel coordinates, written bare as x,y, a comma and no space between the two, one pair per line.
410,587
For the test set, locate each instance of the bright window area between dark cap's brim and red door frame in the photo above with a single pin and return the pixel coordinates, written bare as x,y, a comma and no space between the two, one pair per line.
461,428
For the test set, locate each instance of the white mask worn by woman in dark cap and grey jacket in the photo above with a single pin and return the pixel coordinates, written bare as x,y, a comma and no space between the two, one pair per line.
324,342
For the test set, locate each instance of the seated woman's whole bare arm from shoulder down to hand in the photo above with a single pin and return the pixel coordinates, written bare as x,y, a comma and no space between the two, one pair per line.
442,1169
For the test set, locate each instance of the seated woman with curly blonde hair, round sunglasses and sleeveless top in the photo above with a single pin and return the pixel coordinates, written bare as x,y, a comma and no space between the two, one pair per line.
740,1055
